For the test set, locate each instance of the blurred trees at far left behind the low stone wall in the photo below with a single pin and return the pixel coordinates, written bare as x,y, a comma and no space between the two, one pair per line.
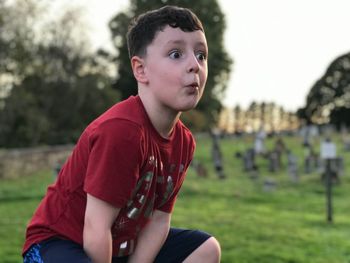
58,87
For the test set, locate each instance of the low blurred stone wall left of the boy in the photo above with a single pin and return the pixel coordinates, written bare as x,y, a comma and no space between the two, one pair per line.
23,162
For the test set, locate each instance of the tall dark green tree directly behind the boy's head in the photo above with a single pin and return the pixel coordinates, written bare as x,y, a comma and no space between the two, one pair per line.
219,61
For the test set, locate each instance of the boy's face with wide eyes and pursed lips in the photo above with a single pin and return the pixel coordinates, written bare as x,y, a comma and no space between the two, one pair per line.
176,68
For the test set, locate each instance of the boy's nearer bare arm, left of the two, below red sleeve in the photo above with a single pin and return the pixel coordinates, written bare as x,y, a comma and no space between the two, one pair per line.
97,237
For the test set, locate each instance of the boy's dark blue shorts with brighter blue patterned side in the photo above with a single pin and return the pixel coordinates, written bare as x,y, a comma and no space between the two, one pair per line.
179,244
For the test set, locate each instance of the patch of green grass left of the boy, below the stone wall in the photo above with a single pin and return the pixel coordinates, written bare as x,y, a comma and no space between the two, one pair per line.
18,200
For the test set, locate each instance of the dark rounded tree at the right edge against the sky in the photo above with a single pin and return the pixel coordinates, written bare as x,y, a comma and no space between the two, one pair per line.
329,98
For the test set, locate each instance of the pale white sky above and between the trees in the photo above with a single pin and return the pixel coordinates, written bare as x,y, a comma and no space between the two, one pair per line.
279,47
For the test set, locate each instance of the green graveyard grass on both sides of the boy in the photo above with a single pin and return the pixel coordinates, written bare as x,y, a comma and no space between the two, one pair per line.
287,224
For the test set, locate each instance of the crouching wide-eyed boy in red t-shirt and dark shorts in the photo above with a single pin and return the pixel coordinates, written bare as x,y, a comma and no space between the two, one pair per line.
113,198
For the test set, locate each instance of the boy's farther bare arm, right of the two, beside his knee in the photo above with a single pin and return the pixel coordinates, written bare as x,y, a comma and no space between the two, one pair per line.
151,238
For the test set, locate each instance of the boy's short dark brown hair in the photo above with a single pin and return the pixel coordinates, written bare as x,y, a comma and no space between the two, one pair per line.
142,29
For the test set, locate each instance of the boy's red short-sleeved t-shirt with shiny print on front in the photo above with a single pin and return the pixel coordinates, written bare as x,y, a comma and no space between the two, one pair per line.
120,158
